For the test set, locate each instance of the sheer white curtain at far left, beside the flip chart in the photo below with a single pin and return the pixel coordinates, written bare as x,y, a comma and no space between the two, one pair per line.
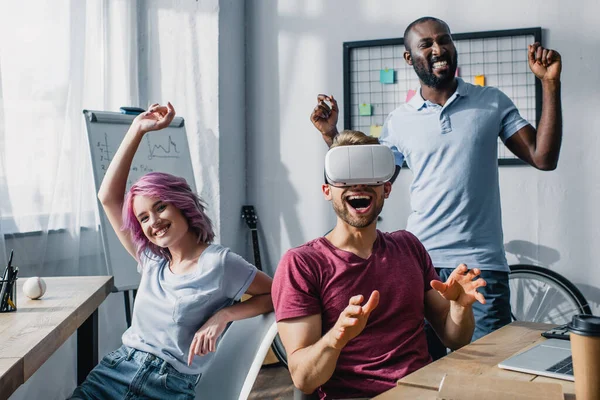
56,59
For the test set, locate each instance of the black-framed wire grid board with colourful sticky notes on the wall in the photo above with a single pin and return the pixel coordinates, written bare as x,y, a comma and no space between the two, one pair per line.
377,79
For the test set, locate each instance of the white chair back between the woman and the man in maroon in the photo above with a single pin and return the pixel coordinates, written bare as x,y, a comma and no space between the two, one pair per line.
237,361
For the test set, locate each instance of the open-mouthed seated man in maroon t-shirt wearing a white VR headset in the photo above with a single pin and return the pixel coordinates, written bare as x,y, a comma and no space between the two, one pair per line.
337,342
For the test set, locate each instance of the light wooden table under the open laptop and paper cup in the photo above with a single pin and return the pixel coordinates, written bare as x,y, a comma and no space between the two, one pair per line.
478,358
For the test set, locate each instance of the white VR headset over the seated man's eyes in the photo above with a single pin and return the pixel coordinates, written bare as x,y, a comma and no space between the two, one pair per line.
371,164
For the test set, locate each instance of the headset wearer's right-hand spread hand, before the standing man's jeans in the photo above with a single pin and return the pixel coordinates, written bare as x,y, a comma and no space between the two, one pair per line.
461,286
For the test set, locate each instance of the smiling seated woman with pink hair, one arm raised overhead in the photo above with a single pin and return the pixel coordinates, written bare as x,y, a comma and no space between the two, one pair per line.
188,288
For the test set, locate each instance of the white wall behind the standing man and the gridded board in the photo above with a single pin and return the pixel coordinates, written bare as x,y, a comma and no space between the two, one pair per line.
294,52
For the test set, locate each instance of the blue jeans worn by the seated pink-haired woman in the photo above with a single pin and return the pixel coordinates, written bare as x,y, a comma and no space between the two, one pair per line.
127,373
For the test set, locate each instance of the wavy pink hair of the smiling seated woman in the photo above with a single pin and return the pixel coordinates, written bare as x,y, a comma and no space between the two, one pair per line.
173,190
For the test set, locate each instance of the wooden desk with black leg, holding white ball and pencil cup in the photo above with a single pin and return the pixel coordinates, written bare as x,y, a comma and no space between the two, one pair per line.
30,335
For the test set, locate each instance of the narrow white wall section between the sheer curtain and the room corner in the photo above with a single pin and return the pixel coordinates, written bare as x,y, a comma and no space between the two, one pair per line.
192,55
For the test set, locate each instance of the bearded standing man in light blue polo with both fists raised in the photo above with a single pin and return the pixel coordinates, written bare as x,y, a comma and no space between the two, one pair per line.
447,134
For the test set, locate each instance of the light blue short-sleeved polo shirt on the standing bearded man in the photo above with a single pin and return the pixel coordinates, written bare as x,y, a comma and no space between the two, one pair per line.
453,153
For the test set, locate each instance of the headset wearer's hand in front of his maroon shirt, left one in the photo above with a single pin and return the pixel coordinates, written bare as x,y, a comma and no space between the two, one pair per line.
352,320
